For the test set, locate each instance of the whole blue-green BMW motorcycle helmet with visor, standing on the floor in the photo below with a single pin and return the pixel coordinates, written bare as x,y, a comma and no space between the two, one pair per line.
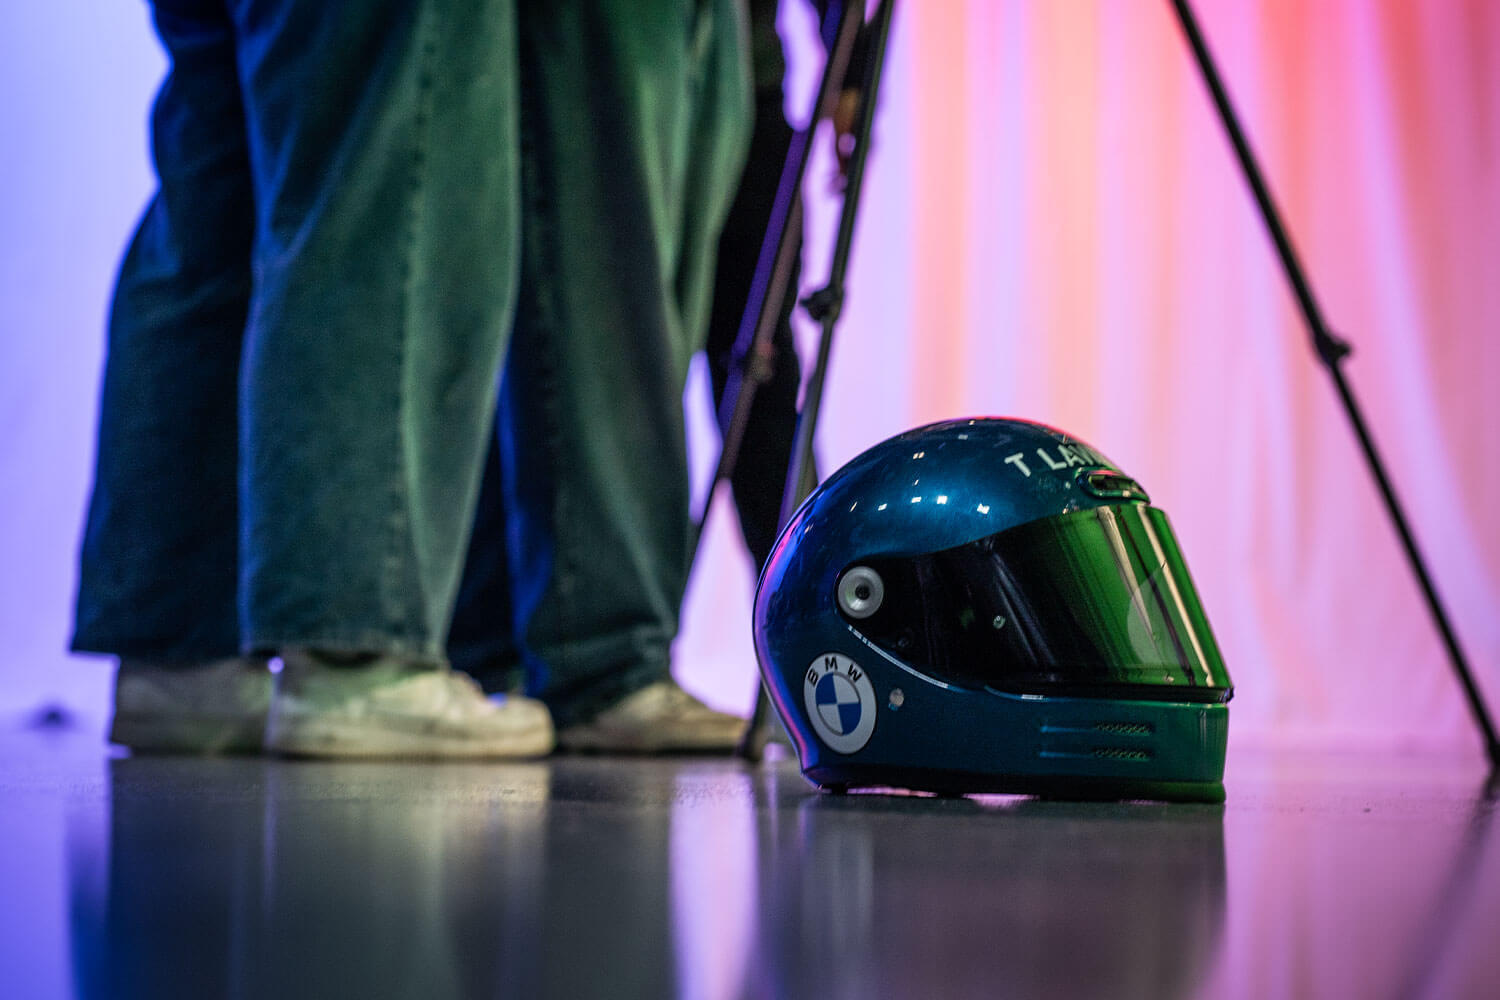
992,606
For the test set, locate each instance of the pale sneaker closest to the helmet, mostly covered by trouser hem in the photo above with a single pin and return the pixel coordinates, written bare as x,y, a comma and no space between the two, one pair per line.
658,719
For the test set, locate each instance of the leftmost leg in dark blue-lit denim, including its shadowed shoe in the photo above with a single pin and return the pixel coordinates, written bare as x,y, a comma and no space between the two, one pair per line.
160,555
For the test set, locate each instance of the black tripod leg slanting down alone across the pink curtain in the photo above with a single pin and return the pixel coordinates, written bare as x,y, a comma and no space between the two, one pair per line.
1333,352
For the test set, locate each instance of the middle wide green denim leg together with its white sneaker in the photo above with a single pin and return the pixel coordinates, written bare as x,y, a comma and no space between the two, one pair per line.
383,149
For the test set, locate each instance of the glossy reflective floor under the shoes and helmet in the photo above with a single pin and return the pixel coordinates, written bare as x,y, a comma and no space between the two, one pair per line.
688,878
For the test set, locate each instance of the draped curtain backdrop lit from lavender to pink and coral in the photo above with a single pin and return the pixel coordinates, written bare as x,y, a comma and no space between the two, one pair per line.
1054,229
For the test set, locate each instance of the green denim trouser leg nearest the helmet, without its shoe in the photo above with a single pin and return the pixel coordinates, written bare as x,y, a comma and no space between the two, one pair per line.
634,131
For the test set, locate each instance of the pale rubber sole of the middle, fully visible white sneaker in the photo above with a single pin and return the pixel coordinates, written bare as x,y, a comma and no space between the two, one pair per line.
323,738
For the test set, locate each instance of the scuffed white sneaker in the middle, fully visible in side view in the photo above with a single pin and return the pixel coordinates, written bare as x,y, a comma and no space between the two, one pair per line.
395,708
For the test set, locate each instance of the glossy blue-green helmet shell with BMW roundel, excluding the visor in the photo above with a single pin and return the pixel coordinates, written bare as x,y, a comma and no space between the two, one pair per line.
920,493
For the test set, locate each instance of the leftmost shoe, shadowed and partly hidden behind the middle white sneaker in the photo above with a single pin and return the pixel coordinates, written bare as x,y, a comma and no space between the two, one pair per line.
217,707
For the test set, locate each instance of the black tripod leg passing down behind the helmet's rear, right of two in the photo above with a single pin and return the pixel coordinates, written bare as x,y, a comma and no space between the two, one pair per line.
826,307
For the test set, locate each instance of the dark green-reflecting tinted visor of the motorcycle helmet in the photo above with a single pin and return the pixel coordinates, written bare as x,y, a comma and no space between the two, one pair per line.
1094,603
